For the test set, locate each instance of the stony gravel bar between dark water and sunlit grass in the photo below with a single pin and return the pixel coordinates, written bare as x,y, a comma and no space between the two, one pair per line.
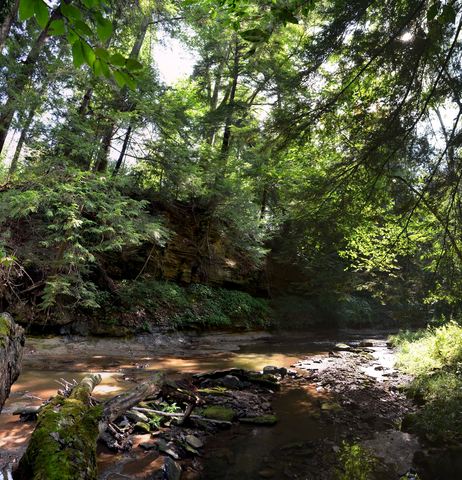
365,404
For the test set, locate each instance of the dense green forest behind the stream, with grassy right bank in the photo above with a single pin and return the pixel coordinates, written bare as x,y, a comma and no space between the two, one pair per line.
303,175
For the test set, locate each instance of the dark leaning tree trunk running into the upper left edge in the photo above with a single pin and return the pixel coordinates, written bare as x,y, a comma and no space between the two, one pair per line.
19,82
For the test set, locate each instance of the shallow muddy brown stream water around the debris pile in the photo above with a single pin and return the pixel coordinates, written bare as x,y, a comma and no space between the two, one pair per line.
242,452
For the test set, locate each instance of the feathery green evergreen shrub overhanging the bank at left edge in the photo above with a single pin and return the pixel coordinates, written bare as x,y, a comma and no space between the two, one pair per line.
62,224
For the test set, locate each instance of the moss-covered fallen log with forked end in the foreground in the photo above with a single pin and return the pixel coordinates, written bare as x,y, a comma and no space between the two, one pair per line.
63,444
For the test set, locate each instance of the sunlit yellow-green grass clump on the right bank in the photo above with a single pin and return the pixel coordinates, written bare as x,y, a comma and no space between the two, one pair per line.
434,358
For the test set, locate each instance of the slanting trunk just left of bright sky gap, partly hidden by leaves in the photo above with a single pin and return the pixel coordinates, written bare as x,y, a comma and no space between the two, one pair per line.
106,139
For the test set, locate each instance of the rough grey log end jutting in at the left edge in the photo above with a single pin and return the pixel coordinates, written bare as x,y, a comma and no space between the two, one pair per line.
11,349
